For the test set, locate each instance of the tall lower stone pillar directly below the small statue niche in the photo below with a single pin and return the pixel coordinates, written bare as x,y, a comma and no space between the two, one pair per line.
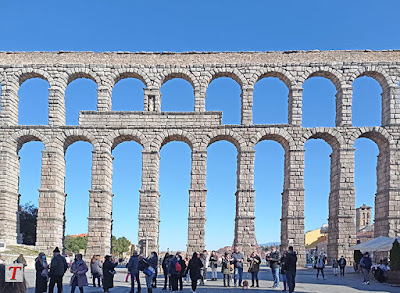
149,202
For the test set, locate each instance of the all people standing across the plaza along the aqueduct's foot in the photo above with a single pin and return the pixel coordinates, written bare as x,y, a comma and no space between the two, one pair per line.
178,269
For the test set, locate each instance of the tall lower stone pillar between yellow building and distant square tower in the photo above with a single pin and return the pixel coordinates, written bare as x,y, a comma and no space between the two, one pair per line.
341,224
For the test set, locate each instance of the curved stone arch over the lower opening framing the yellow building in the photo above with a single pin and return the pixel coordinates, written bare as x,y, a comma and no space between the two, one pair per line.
330,135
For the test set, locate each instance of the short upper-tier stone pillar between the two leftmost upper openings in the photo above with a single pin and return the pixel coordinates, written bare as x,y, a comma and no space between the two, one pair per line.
57,103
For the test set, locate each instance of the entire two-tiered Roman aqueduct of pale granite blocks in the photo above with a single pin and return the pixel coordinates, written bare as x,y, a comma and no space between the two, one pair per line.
105,129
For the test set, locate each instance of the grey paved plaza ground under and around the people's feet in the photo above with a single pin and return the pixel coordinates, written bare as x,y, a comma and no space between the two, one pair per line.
306,282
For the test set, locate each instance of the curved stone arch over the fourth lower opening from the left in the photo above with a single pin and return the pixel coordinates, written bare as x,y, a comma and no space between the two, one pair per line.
173,135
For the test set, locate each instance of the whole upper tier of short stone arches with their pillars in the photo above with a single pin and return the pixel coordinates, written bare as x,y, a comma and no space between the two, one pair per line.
104,85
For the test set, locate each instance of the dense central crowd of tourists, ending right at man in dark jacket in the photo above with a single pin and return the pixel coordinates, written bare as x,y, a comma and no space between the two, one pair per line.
178,269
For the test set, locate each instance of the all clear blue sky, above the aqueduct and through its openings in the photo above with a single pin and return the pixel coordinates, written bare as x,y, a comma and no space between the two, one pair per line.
202,26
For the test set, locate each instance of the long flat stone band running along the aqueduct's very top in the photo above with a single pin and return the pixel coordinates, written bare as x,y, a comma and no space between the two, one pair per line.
198,58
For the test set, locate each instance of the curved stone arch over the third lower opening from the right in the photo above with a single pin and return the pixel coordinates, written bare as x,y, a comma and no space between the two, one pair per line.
281,136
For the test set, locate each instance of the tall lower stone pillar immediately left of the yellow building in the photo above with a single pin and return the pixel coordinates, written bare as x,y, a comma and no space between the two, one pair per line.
292,222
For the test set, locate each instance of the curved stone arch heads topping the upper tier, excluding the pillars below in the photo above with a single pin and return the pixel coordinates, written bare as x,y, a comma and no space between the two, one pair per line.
199,79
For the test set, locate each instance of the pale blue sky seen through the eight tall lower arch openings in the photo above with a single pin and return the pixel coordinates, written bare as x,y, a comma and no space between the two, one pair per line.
174,183
